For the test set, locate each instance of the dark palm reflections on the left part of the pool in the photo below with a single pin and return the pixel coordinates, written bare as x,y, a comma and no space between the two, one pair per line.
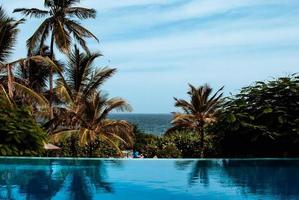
76,180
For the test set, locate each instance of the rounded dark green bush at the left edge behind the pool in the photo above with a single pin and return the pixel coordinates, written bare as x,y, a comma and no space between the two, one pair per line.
20,135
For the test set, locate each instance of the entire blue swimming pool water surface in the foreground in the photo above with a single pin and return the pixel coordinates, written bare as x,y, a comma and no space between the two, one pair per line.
149,179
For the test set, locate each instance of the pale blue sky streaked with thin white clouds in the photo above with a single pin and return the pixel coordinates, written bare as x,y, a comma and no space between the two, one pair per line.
159,46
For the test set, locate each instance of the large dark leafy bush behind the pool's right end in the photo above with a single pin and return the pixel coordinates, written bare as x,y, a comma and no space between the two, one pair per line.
262,120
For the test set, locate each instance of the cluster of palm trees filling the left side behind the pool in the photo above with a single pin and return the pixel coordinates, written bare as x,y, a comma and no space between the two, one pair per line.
73,110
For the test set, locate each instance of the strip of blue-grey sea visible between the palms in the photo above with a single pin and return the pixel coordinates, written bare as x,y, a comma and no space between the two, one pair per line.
149,123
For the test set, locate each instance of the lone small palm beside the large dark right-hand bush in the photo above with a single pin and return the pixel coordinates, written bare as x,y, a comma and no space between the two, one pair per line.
198,112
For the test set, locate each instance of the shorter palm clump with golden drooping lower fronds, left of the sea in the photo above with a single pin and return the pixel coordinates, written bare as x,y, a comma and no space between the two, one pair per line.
84,109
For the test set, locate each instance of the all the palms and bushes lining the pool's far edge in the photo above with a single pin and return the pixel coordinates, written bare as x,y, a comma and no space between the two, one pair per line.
46,100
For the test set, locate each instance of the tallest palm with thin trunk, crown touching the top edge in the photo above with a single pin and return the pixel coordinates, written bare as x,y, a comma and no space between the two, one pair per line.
61,26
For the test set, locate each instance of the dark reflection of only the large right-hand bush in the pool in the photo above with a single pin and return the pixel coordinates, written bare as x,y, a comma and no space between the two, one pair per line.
279,178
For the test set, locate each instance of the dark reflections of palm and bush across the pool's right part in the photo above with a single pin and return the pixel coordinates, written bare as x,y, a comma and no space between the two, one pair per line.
274,179
